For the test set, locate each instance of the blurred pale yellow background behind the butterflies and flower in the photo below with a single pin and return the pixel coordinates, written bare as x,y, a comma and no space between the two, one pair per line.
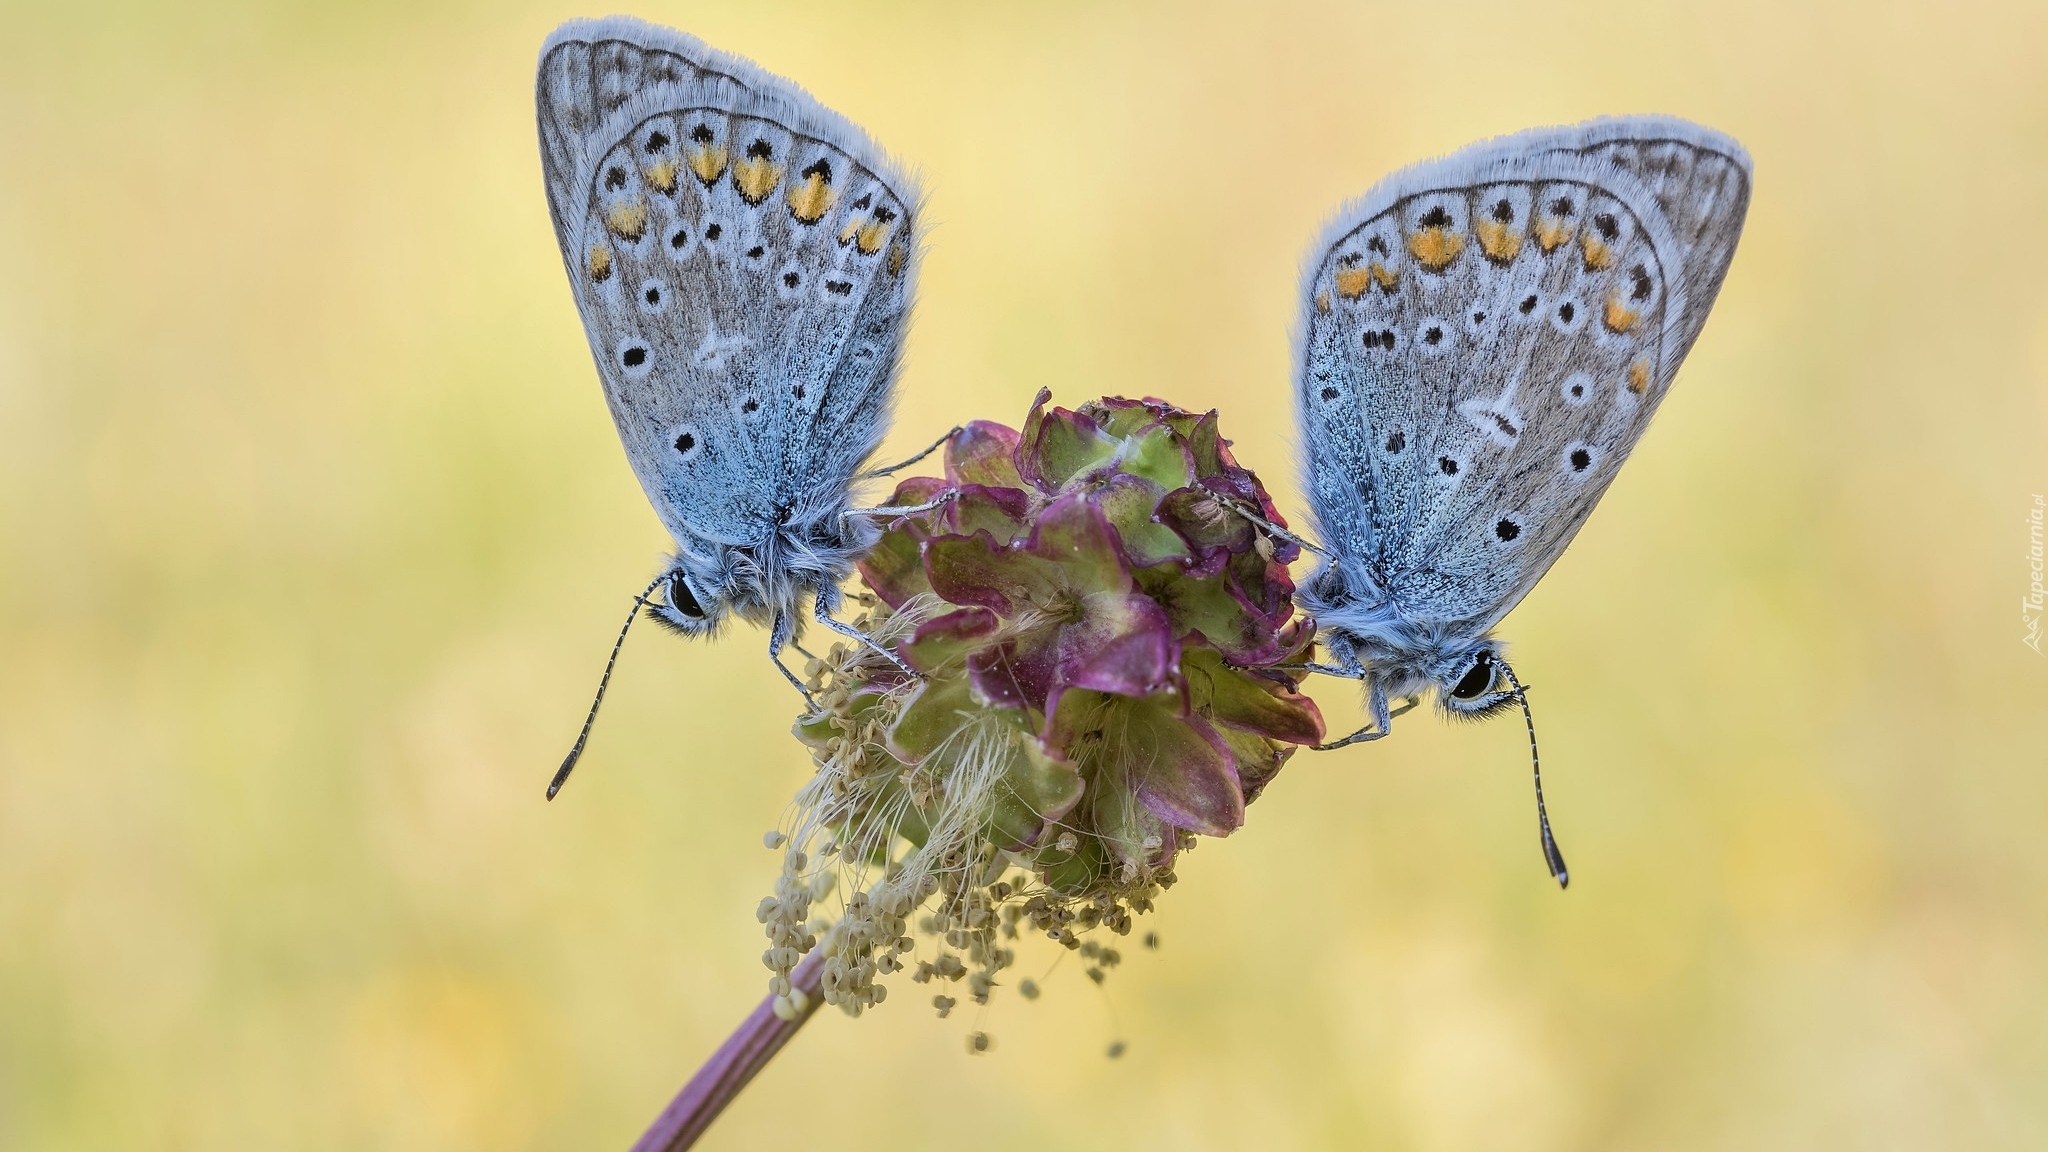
314,534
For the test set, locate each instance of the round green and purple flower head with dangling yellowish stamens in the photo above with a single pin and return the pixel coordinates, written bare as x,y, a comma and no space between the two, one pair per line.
1105,665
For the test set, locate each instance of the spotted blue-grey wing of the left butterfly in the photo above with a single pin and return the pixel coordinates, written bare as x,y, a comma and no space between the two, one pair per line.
742,261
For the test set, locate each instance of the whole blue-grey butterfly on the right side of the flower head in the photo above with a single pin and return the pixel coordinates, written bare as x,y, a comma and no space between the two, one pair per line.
1484,341
